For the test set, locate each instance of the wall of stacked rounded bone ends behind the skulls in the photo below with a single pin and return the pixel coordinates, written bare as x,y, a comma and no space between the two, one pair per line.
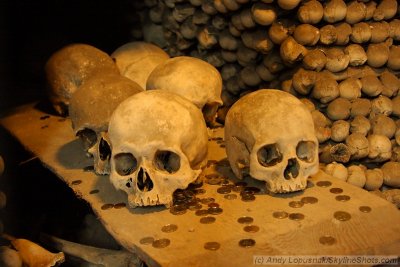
341,58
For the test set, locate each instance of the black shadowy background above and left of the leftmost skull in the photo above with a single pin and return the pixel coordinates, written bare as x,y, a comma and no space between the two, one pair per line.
31,30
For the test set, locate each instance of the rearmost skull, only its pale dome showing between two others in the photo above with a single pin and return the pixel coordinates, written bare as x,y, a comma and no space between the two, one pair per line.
136,60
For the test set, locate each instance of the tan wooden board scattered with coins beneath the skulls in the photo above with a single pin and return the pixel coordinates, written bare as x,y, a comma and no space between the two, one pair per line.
374,233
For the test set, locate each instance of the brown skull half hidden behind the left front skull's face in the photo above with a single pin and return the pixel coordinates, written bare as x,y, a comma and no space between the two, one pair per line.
90,111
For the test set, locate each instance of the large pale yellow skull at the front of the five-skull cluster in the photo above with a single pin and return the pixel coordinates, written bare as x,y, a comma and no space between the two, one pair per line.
159,144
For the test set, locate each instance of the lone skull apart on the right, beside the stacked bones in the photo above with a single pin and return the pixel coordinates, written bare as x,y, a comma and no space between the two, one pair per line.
270,135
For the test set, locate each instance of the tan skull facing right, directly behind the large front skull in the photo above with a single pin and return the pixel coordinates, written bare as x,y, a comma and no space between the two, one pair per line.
192,78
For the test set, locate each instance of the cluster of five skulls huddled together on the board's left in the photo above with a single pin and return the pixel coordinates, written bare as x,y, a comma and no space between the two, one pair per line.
151,142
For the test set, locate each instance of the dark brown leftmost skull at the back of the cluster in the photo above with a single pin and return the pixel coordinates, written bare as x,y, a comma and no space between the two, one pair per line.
68,68
